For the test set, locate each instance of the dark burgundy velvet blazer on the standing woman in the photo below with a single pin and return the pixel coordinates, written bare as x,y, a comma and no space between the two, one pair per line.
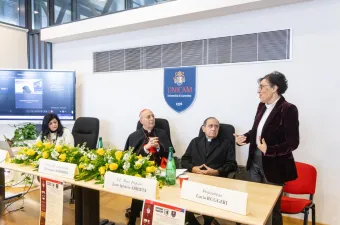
281,133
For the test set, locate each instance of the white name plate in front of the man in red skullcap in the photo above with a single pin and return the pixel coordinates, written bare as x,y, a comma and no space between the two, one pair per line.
142,187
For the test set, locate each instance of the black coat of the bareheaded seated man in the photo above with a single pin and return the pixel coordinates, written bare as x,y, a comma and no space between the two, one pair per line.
221,156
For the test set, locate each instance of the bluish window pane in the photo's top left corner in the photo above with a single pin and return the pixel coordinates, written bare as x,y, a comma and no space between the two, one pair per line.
10,11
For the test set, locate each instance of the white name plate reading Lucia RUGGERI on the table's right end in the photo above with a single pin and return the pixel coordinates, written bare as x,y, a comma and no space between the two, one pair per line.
222,198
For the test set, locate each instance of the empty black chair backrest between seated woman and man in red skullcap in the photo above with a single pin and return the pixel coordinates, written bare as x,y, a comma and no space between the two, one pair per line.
86,129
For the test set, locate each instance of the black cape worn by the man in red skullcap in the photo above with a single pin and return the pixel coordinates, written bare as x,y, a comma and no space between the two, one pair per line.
137,140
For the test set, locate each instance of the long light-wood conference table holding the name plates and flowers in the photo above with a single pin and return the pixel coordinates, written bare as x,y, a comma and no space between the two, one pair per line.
261,197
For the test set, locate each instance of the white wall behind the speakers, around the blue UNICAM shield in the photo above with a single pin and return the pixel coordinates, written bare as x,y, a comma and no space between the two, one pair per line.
227,91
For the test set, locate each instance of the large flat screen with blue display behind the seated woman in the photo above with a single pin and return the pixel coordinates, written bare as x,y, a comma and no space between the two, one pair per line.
31,94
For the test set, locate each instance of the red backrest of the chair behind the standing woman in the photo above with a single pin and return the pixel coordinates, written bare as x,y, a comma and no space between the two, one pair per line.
306,181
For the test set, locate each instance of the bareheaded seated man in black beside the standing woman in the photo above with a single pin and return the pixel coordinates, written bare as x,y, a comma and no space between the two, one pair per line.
209,155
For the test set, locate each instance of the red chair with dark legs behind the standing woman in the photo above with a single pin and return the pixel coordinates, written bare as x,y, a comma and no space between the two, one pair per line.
304,184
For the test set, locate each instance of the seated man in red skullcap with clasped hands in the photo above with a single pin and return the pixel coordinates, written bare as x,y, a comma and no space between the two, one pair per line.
147,140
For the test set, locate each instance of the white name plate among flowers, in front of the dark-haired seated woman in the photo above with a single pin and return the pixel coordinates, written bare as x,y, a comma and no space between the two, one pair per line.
57,168
